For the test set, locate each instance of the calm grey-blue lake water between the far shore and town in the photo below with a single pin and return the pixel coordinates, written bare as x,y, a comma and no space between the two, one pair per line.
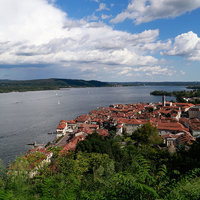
28,116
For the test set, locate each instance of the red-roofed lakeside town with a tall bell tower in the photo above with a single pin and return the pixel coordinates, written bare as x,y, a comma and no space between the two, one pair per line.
177,123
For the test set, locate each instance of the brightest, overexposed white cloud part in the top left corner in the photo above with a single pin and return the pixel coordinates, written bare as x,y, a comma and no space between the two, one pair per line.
35,21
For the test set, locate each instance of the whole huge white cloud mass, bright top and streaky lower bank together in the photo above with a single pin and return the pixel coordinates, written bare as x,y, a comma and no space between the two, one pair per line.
35,32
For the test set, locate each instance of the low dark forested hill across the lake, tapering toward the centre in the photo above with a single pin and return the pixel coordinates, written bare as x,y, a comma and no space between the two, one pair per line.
47,84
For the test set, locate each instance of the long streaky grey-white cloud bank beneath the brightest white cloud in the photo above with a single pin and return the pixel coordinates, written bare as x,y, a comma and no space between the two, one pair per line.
89,43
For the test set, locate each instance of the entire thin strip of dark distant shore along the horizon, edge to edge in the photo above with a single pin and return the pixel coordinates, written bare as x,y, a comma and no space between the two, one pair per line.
7,86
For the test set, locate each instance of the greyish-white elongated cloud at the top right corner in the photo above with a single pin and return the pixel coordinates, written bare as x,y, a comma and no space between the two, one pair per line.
141,11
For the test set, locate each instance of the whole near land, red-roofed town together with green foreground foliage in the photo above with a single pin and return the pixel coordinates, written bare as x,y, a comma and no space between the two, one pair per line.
142,150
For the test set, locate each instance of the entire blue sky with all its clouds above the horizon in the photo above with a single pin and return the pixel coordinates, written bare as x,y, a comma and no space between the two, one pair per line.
106,40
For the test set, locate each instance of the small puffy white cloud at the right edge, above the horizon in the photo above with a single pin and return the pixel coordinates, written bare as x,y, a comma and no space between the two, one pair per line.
186,45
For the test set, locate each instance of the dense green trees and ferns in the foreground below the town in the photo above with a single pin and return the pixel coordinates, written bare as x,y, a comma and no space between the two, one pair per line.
114,167
